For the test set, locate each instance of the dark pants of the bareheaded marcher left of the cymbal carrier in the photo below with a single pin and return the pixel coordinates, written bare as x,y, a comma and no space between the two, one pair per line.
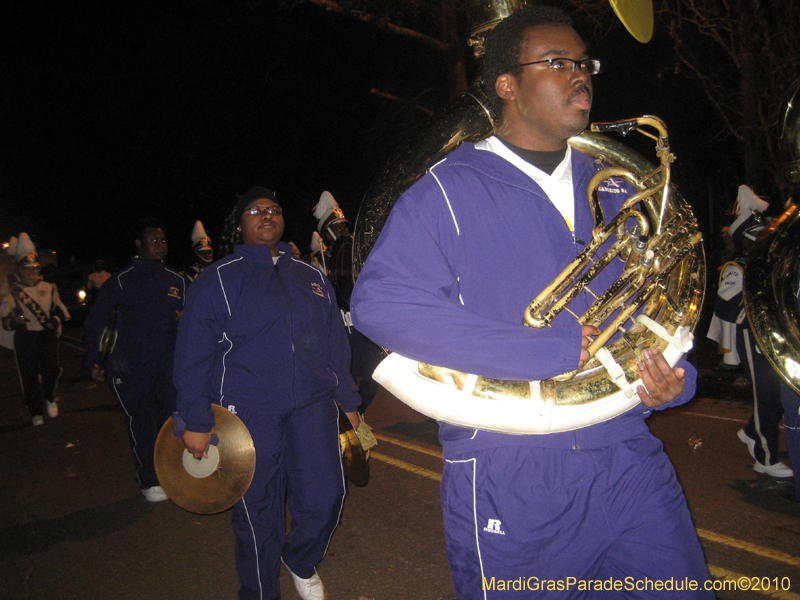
148,399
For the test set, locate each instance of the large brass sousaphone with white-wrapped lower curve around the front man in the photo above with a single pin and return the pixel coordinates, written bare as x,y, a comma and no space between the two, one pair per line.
659,299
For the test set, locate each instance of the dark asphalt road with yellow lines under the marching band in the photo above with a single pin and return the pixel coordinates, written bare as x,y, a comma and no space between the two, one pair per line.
73,524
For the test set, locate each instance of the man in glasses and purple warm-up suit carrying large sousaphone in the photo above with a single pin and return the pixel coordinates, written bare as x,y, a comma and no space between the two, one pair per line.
460,258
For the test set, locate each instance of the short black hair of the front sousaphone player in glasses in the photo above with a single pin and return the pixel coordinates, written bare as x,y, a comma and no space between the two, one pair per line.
504,44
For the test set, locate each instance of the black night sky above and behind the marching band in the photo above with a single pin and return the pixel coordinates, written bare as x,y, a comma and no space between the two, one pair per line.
116,111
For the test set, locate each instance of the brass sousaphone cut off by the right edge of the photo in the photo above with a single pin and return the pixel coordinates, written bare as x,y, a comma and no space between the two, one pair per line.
771,272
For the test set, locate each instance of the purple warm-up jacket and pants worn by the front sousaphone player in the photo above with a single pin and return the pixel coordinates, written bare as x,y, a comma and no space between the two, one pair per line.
462,254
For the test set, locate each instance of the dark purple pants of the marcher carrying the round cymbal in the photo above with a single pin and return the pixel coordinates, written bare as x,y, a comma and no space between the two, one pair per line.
297,455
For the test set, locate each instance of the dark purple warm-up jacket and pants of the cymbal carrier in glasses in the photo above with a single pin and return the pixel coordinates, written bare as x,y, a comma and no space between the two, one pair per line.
266,341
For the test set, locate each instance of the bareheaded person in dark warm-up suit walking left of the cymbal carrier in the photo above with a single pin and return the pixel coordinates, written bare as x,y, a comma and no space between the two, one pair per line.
143,303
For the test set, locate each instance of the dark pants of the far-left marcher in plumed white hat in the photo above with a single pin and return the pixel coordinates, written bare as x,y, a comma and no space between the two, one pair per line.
37,355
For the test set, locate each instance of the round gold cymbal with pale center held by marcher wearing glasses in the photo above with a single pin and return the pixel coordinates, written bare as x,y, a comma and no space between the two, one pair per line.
209,485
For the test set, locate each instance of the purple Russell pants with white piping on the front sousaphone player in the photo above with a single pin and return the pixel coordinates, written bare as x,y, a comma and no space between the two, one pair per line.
527,514
